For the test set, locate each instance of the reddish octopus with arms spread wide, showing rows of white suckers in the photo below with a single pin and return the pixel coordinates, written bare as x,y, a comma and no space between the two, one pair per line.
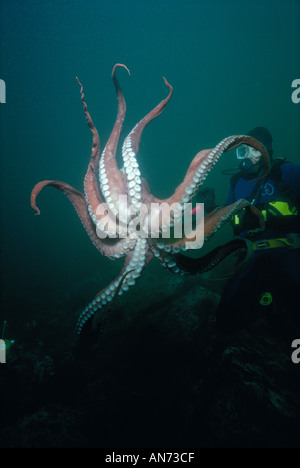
113,184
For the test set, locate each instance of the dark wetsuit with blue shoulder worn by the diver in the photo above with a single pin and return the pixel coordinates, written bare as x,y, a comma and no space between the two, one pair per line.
271,270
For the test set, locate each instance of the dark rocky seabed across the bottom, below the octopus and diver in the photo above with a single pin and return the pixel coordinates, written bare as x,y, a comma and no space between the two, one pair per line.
161,375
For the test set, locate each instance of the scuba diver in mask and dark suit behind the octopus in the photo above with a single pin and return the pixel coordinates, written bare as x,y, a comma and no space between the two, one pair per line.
271,279
